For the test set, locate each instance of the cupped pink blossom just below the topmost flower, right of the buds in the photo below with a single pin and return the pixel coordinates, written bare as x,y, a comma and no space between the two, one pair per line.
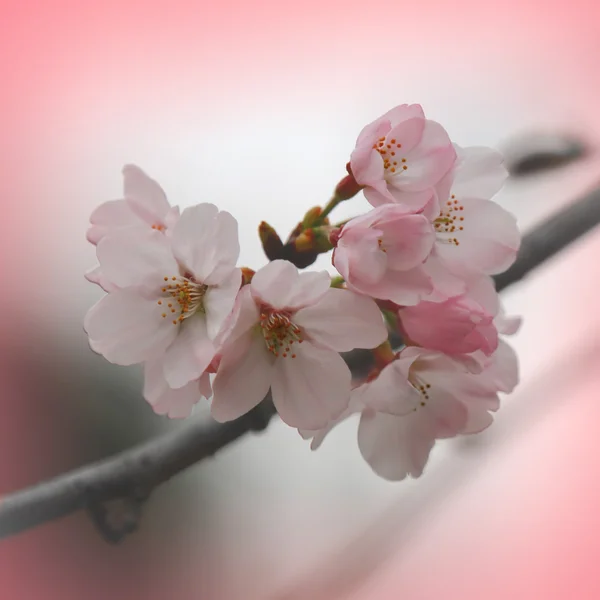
381,254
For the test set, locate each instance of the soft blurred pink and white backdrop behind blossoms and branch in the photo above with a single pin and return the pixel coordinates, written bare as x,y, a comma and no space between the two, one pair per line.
255,106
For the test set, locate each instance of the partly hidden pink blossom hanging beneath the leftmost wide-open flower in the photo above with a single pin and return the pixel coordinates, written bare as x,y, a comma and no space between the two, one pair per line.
175,403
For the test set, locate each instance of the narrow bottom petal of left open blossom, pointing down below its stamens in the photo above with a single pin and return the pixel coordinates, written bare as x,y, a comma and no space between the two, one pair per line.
190,353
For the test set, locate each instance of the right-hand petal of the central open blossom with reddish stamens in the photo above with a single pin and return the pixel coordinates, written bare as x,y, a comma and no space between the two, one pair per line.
342,321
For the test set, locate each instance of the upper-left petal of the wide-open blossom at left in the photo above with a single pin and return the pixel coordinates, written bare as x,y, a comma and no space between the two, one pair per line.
129,258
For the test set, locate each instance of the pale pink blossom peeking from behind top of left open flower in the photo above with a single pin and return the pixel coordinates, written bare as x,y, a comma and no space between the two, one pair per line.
144,206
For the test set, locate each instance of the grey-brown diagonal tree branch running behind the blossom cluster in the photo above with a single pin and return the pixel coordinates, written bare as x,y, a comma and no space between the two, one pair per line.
130,476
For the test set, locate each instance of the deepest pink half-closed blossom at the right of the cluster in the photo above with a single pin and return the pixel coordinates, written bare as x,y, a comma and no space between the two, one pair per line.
460,325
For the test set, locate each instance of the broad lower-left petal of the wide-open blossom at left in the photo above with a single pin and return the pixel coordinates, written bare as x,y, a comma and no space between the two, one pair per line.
126,328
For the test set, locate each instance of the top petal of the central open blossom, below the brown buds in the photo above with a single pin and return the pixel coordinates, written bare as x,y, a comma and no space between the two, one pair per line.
280,285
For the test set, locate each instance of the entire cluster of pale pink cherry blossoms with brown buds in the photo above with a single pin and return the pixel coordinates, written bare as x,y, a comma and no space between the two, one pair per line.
418,264
